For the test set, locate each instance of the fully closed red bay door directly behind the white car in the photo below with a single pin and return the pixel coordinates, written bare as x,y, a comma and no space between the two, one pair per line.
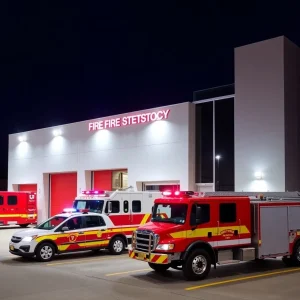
63,190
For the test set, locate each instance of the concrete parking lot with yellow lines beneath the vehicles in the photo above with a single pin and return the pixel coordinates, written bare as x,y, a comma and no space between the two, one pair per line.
101,275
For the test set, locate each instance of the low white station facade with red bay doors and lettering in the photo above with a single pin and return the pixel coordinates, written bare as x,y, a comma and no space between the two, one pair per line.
145,149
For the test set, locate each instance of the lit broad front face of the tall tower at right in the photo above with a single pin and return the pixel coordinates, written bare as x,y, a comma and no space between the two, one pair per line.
259,116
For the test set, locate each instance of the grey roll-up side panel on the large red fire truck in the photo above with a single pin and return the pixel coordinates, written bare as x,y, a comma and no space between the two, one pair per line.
274,238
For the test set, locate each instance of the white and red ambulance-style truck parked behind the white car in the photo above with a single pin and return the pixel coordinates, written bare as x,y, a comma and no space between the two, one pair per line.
124,207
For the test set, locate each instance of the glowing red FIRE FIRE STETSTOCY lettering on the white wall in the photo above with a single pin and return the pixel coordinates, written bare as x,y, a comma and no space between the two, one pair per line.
130,120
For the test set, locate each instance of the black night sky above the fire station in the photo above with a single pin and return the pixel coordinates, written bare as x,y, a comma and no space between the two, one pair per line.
69,61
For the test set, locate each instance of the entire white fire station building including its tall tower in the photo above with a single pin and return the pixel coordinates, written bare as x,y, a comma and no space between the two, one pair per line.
242,137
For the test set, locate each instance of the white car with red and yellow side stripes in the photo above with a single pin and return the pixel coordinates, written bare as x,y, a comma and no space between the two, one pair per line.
70,232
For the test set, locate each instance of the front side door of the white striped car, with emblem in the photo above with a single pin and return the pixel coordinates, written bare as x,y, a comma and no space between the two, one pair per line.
71,235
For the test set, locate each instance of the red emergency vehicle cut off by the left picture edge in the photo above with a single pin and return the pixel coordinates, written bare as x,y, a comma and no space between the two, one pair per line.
18,208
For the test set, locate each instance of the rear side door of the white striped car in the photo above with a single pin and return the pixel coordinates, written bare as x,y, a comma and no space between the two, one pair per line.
96,234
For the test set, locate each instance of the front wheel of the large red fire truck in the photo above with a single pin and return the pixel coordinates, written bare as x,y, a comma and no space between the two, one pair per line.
197,265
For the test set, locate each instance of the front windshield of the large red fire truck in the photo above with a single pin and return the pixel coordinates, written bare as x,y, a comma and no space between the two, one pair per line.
169,213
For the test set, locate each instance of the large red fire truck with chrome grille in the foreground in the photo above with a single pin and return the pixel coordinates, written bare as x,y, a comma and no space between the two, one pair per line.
198,232
